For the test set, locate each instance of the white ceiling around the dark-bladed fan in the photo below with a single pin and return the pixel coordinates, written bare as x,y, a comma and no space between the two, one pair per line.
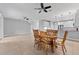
20,10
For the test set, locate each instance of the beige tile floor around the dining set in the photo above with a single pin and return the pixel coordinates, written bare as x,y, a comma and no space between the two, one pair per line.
23,45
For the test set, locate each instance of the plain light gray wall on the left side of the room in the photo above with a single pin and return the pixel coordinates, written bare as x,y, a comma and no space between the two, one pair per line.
13,27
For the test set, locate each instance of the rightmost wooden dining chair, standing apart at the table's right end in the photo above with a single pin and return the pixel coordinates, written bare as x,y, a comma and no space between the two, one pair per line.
61,42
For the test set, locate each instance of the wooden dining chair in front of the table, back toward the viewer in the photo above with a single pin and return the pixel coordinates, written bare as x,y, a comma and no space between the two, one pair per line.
43,45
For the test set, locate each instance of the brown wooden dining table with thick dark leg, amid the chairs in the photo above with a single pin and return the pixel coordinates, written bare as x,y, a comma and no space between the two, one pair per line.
52,41
